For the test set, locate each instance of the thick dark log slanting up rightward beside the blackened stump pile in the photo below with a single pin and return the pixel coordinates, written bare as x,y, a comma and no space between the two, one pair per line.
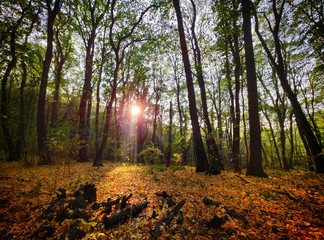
124,214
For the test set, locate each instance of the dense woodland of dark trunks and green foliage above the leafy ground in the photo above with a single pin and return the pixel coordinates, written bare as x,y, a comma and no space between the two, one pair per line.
219,84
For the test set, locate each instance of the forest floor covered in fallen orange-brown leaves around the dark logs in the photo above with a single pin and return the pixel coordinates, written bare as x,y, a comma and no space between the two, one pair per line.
284,206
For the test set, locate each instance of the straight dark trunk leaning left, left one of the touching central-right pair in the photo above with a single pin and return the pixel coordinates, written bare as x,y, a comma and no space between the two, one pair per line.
200,155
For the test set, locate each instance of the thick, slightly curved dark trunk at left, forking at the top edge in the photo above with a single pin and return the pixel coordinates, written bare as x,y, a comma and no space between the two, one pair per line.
41,120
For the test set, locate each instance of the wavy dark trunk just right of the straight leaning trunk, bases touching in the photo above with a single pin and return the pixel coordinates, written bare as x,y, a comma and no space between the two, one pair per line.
215,164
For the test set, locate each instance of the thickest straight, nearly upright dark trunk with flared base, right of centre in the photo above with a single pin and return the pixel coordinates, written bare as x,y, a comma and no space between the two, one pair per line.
255,161
